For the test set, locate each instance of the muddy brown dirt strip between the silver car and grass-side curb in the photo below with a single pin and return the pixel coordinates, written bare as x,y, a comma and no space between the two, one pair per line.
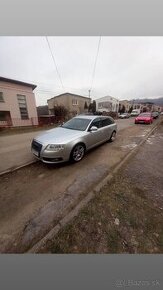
34,198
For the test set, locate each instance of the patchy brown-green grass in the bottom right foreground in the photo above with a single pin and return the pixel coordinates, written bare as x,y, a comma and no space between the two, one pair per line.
140,228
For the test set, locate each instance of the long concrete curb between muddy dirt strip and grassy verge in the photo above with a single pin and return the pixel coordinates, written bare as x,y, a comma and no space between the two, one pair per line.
40,246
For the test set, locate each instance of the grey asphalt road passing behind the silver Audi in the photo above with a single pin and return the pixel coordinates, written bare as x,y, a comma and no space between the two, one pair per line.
15,149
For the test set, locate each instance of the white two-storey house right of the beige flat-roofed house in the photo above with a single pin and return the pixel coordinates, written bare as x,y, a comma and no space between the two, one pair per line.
107,104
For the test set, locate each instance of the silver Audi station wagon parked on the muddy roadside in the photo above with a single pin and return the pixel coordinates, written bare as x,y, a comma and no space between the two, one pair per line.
71,140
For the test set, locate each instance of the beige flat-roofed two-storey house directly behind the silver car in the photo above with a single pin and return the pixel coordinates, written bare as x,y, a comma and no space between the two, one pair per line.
73,103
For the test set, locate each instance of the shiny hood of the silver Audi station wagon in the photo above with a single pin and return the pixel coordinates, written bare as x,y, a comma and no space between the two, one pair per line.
58,136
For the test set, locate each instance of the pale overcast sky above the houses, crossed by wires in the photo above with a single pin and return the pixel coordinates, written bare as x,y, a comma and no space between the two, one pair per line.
126,68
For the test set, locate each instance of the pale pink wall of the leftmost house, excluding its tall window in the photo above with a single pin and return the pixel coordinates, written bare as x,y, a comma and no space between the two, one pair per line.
10,92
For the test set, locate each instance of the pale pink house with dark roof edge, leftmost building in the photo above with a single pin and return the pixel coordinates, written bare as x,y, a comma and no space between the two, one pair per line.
17,103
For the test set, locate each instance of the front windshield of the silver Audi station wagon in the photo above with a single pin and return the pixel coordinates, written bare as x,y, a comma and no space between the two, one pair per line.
77,124
